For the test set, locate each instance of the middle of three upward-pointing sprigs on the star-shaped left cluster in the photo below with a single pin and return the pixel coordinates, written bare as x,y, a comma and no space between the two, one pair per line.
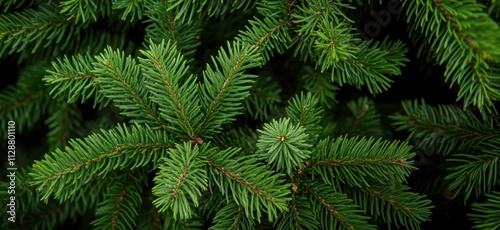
165,71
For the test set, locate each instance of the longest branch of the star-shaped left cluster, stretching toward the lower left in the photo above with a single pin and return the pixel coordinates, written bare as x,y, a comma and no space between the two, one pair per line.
62,173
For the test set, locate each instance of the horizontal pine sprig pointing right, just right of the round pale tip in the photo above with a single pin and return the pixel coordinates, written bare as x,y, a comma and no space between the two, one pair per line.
355,160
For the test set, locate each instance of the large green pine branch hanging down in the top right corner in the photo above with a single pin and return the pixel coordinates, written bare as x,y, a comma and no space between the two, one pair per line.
463,37
